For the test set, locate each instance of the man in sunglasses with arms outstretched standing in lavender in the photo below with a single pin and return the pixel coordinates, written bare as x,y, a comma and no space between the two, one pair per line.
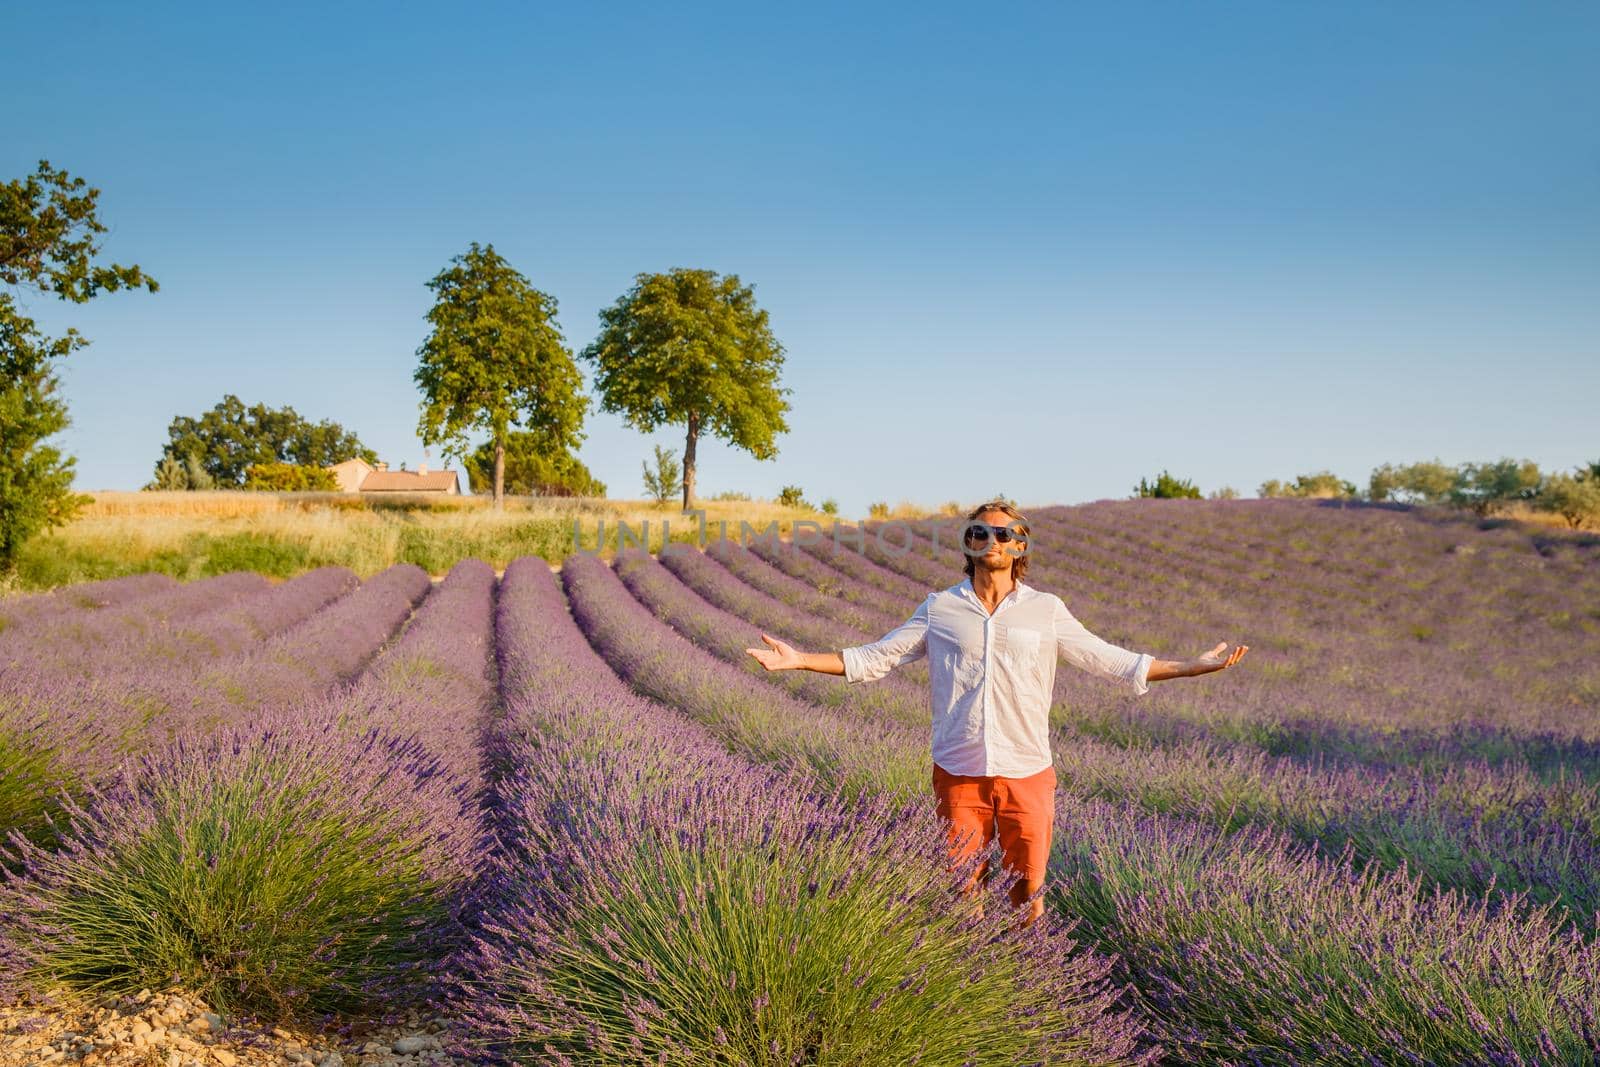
991,645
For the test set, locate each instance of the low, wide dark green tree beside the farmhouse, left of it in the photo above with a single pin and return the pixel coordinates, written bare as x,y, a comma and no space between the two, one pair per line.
231,439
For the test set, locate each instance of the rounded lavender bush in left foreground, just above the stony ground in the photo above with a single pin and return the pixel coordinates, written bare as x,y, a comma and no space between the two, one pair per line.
286,868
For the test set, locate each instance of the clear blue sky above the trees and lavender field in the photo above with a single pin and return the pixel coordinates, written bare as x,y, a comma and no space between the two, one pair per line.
1041,250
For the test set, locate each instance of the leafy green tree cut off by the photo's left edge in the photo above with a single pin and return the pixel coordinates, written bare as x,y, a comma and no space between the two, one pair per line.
50,236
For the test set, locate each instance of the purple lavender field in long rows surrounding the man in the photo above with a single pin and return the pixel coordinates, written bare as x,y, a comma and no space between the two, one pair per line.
567,810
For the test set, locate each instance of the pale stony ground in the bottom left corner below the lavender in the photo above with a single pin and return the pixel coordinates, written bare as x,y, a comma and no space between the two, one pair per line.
177,1029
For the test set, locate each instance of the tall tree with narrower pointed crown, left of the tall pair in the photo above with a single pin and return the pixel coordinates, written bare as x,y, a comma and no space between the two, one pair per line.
494,361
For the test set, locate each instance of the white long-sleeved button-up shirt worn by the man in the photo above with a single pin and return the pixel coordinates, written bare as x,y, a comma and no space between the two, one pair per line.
993,676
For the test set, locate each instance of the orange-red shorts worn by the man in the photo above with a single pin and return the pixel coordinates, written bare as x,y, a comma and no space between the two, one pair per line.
1018,810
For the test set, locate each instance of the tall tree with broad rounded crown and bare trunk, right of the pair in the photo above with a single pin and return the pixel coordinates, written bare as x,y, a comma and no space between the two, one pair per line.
692,348
